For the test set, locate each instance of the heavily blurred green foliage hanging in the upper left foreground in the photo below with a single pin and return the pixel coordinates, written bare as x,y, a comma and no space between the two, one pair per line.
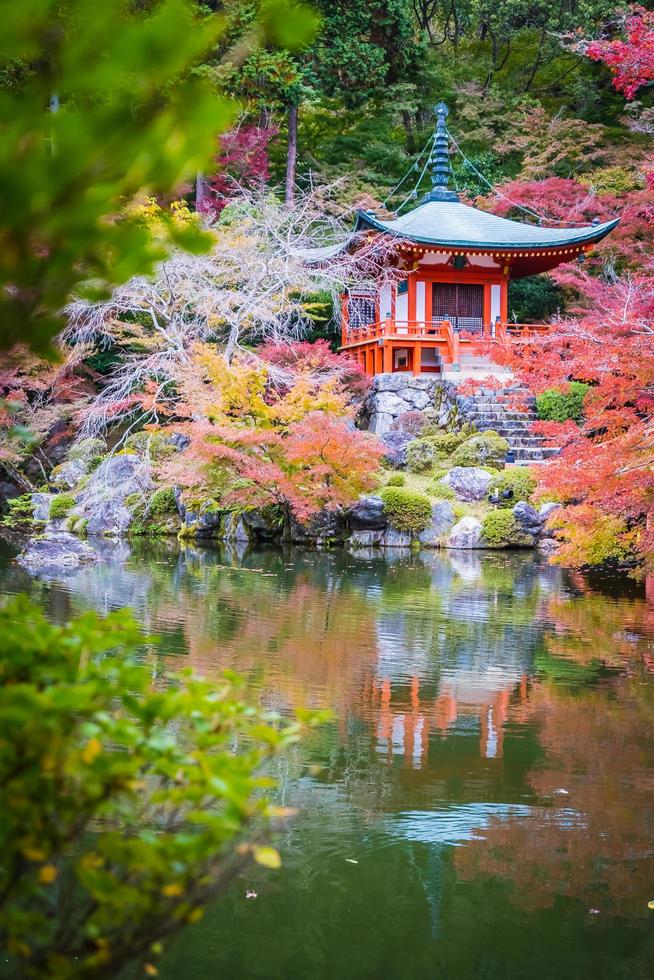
101,103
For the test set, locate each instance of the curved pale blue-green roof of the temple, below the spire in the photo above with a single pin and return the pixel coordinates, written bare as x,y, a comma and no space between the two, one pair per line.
451,224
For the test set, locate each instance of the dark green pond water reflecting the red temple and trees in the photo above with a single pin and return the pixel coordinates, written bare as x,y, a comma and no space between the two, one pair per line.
481,807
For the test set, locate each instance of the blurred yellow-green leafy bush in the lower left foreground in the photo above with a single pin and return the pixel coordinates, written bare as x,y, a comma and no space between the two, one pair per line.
128,802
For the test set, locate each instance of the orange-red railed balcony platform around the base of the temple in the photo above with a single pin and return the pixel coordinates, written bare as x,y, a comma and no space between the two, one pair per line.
429,347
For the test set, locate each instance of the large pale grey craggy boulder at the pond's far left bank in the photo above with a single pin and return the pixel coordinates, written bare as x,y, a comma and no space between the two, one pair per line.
102,504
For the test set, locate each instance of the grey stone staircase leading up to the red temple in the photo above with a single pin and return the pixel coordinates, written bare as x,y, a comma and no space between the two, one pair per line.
491,408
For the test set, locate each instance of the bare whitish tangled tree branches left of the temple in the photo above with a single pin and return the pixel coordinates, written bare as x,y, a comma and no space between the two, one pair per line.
257,284
